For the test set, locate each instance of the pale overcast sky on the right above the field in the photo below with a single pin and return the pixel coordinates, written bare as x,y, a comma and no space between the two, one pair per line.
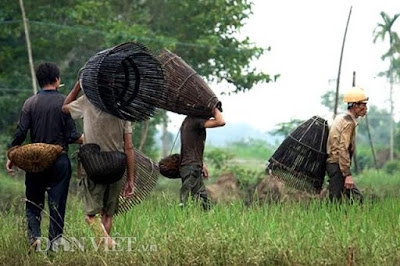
306,38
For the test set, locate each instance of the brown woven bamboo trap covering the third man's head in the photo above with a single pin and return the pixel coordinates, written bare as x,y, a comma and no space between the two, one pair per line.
187,93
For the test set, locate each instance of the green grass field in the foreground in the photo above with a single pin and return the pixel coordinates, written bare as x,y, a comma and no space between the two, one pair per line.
160,233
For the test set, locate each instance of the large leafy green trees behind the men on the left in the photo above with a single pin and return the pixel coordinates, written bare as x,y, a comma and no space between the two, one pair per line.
69,32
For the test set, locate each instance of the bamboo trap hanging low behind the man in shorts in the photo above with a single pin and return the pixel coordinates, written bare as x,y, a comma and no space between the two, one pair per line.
146,177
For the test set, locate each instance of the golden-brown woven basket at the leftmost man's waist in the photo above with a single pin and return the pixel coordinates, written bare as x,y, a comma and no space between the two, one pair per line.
35,157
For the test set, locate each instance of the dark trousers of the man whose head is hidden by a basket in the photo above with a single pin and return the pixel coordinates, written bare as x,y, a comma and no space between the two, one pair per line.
192,184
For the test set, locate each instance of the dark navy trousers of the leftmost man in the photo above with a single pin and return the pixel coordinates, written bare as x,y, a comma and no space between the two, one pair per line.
55,181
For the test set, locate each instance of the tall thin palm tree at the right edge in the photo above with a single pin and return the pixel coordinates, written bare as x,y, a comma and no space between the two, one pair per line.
381,31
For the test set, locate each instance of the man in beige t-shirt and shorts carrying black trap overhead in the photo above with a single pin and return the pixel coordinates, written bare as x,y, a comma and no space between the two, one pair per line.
111,134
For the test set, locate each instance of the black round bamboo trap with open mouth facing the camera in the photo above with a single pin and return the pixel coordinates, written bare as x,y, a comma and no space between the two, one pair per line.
126,81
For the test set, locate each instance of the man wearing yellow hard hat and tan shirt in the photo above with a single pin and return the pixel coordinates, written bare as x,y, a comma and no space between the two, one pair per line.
341,147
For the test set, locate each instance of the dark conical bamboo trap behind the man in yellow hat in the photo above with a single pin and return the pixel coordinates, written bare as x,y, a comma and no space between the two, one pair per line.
300,161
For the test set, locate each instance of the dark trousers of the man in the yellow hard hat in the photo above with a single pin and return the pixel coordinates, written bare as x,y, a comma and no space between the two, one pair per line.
336,188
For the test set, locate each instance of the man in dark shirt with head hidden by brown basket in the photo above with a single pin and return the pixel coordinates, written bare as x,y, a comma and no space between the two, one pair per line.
192,169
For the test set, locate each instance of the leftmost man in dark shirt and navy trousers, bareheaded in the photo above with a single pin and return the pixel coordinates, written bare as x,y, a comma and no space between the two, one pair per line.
42,116
